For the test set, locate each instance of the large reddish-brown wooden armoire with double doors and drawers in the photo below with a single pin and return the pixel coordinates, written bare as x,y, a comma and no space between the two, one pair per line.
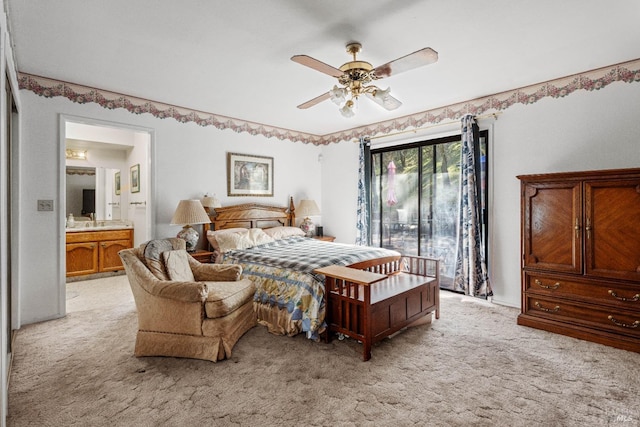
581,255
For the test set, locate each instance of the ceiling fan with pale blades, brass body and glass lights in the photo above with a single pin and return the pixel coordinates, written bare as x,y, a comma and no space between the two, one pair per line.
355,76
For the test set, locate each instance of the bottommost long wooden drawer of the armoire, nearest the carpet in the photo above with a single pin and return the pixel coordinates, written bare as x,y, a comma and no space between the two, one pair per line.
623,322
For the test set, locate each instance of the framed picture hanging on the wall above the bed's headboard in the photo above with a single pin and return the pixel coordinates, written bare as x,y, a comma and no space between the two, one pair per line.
249,175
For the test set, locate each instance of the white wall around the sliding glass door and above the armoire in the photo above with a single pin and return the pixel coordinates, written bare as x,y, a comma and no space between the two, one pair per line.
583,131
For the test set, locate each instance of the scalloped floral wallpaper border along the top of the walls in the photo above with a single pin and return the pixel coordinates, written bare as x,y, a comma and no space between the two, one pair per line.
628,72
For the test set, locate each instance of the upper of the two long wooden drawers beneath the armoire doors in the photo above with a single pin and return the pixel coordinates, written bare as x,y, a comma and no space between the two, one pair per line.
625,297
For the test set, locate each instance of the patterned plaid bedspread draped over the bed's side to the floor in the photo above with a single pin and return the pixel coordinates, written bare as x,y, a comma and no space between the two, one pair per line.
284,278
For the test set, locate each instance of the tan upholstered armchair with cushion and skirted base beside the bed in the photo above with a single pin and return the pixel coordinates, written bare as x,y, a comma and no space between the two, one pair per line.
185,308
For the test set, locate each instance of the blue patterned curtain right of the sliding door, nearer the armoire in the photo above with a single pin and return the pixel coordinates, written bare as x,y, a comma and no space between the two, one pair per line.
471,268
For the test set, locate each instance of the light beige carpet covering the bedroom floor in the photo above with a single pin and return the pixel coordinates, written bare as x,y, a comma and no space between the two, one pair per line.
473,366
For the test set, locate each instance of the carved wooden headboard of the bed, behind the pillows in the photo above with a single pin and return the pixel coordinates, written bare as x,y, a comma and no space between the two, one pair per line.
251,215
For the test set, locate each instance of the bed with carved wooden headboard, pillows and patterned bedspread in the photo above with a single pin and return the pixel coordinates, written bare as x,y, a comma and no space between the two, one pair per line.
290,297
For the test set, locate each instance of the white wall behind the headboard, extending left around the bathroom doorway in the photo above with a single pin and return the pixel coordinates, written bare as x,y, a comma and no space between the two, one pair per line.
187,160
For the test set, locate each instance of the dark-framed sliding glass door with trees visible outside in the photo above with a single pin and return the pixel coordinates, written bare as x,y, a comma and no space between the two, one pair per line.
414,199
